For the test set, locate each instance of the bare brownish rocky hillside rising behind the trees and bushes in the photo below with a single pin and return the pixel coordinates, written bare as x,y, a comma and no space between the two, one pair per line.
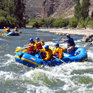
53,8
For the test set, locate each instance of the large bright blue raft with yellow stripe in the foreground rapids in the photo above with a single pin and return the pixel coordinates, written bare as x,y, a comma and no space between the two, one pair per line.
77,55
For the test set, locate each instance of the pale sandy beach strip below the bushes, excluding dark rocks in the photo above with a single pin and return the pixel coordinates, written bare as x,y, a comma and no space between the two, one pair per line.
87,31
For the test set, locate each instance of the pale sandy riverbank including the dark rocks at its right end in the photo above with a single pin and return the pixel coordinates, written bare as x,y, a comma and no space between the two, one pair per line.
87,33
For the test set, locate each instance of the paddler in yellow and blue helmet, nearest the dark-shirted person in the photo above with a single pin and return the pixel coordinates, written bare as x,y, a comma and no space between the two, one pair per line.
58,51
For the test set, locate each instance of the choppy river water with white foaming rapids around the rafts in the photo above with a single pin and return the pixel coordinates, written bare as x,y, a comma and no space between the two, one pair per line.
66,78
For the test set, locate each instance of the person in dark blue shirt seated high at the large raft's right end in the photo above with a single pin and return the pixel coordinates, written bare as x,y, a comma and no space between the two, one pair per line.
70,43
